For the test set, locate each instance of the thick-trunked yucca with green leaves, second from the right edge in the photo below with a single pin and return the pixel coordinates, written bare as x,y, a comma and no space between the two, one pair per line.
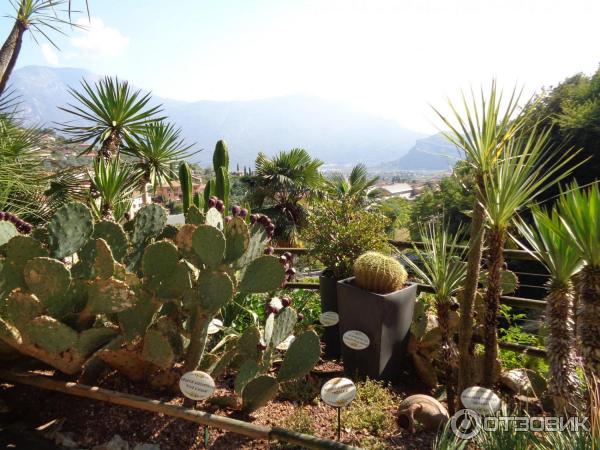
551,246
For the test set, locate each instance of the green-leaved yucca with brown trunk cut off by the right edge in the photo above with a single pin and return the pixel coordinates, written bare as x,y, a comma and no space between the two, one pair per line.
580,213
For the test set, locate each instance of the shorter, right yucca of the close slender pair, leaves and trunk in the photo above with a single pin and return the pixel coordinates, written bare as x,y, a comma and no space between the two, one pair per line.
527,167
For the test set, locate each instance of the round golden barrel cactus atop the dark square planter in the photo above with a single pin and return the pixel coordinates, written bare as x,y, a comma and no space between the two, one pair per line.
376,272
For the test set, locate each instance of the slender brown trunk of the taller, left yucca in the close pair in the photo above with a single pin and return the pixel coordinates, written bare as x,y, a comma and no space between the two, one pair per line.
465,331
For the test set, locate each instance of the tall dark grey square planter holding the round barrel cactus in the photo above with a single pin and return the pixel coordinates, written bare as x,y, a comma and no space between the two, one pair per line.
385,319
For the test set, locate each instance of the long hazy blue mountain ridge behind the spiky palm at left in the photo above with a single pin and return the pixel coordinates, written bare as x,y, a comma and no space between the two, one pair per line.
331,131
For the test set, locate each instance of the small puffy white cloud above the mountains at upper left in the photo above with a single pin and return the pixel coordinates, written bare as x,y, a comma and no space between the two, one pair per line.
99,40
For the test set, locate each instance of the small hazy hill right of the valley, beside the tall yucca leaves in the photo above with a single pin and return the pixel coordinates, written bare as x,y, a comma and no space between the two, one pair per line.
431,153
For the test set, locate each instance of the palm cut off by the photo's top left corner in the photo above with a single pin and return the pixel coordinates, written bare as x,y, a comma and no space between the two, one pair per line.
38,16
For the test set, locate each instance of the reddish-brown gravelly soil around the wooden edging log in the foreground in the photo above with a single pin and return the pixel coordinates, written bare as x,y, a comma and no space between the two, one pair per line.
91,422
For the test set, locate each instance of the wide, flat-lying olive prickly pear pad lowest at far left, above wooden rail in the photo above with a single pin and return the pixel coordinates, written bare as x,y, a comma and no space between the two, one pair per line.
49,334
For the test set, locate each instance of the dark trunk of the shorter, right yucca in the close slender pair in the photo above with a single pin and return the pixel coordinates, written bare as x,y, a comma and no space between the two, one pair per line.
492,302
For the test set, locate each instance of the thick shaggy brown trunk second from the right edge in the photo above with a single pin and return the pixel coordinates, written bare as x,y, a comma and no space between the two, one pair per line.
562,385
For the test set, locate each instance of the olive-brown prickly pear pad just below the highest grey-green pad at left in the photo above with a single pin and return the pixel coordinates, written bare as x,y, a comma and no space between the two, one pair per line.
49,280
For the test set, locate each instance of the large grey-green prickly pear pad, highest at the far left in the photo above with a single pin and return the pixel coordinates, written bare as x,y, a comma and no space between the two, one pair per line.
69,229
